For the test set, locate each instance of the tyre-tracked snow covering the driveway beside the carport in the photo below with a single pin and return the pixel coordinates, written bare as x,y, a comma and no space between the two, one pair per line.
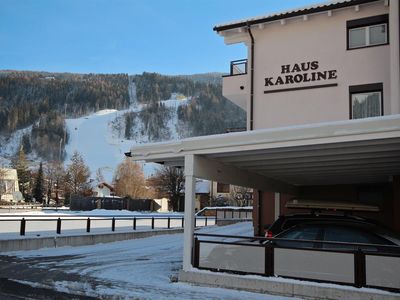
141,268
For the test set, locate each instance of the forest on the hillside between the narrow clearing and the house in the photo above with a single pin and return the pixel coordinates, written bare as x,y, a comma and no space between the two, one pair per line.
208,112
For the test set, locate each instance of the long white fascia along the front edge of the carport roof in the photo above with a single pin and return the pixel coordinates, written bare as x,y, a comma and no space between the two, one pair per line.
312,134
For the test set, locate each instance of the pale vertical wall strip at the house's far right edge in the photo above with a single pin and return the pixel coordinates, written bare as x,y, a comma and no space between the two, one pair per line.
394,57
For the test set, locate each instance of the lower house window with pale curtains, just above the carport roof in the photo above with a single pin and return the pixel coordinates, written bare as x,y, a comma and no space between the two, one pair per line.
366,101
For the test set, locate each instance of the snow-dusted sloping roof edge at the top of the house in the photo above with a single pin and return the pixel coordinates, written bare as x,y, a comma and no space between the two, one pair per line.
319,7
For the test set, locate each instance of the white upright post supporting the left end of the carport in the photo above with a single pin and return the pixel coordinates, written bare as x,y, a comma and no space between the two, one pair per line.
190,189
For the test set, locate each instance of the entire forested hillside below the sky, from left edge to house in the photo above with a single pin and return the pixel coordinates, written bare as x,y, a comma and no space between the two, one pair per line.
40,102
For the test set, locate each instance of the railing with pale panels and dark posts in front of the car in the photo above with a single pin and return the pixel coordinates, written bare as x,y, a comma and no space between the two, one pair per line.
359,265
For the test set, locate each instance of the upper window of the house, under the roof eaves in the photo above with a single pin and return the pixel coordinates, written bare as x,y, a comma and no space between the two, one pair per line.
367,32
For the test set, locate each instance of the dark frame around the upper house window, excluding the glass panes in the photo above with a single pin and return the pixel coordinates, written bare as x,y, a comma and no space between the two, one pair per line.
367,23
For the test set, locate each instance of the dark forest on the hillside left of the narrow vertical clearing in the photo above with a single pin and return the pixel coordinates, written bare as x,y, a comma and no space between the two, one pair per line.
24,96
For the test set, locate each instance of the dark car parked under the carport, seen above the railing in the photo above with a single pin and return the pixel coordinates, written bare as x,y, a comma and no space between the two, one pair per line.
339,235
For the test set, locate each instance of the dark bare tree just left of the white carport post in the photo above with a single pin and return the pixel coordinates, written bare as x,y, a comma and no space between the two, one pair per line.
168,182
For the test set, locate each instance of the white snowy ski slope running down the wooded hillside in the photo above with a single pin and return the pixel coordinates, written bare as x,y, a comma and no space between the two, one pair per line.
103,147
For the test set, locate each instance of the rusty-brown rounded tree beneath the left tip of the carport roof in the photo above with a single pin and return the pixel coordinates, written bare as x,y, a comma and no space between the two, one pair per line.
129,180
